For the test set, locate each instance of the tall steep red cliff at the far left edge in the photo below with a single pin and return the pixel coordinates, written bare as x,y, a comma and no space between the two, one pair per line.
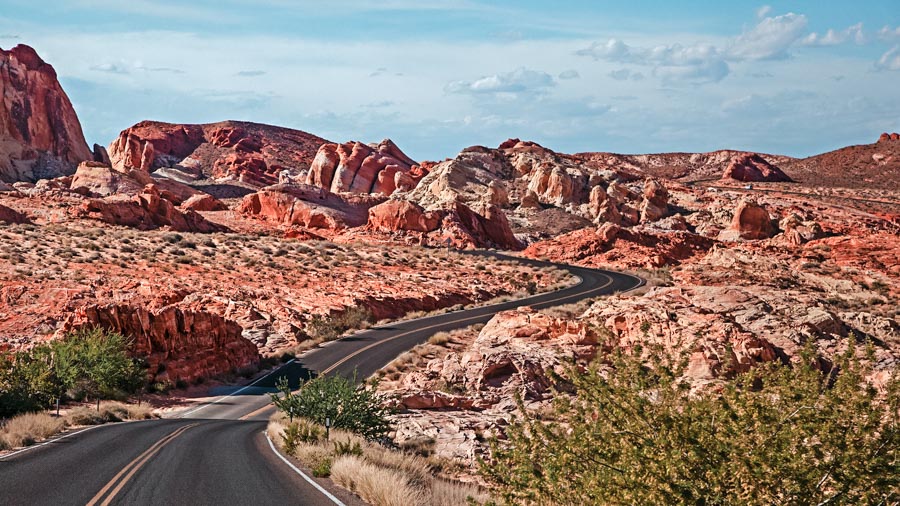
40,136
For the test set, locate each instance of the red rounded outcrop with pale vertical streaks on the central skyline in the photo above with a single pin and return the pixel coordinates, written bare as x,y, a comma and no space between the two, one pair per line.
360,168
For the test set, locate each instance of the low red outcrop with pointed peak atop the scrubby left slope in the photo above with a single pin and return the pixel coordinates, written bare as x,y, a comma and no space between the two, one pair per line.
144,211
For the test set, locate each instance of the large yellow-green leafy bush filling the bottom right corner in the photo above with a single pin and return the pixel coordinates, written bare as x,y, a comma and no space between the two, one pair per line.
777,434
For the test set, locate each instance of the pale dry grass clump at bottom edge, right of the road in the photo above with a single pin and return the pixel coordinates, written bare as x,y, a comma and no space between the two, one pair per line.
375,485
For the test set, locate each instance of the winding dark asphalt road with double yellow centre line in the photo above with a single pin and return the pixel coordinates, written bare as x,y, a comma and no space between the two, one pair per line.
216,453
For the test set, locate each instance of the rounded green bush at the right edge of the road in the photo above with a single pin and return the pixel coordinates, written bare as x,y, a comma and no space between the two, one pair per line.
346,405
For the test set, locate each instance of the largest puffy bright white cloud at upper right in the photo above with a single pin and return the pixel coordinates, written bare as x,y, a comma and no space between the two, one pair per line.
770,39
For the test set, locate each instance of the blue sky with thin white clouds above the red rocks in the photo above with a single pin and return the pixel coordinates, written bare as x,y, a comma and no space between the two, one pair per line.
795,78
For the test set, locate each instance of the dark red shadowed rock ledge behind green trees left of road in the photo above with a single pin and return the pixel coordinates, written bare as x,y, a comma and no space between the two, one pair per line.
179,343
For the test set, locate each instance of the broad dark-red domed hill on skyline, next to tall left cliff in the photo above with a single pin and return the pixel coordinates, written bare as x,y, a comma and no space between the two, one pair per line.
250,153
